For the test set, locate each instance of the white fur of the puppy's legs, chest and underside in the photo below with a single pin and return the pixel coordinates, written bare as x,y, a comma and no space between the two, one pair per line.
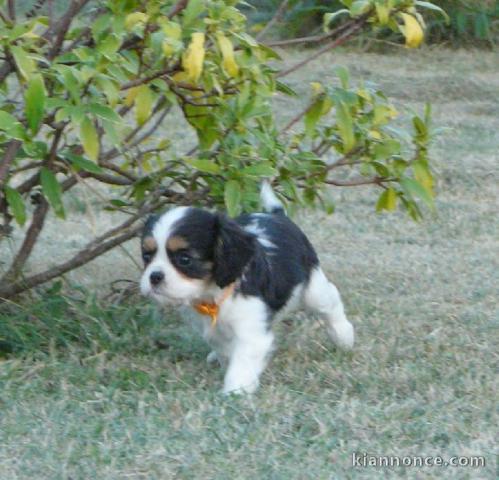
242,341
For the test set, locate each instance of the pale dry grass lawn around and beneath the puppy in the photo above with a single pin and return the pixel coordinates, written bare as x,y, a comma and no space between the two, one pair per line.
100,388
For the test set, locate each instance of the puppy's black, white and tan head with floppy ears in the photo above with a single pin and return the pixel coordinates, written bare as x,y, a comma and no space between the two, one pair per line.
189,252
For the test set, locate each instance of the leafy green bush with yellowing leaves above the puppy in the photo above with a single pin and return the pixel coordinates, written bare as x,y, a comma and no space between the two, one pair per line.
84,93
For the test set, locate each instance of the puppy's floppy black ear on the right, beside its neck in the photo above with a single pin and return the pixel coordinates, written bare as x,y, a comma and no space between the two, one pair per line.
233,249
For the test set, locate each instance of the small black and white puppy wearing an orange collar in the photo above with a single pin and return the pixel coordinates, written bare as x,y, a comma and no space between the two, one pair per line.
241,274
